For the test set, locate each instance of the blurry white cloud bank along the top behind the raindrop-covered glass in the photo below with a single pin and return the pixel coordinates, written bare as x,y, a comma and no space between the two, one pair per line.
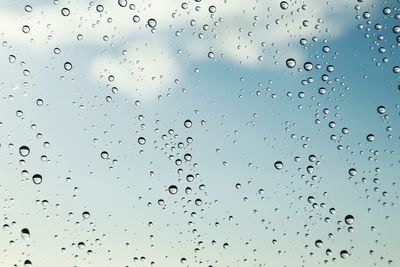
150,65
